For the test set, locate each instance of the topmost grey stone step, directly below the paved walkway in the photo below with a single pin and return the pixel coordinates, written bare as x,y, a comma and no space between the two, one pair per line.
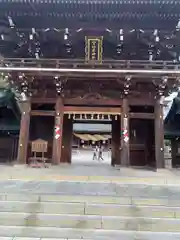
91,189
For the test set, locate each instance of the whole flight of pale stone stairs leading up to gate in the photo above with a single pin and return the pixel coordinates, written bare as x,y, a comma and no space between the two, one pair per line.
86,210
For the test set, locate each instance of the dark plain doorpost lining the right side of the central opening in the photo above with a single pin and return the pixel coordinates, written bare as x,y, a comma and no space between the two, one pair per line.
115,143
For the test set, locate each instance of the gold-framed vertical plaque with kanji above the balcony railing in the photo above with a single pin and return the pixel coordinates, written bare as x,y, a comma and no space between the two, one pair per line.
93,49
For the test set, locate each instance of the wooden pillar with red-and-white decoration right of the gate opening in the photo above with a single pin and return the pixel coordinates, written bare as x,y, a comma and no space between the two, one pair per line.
125,154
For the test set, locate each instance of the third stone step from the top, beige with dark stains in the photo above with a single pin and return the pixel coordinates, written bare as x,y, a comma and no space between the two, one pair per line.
85,208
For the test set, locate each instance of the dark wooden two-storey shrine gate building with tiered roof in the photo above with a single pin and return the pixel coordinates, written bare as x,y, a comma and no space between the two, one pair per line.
68,62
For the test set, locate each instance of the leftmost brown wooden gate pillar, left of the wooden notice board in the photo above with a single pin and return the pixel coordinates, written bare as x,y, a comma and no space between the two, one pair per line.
24,132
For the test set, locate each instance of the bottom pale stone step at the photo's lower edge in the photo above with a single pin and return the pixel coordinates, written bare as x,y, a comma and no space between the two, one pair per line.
25,233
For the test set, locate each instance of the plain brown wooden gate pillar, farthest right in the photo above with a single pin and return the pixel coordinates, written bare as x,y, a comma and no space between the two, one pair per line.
159,134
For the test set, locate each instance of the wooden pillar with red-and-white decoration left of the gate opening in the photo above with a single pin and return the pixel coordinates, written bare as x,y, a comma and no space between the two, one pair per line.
58,131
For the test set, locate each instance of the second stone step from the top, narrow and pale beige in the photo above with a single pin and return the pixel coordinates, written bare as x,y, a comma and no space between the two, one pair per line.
140,201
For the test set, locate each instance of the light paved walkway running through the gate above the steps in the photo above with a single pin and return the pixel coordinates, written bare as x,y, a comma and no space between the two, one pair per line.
83,168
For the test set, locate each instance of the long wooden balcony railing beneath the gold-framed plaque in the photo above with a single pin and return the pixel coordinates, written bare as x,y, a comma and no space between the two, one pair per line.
80,63
